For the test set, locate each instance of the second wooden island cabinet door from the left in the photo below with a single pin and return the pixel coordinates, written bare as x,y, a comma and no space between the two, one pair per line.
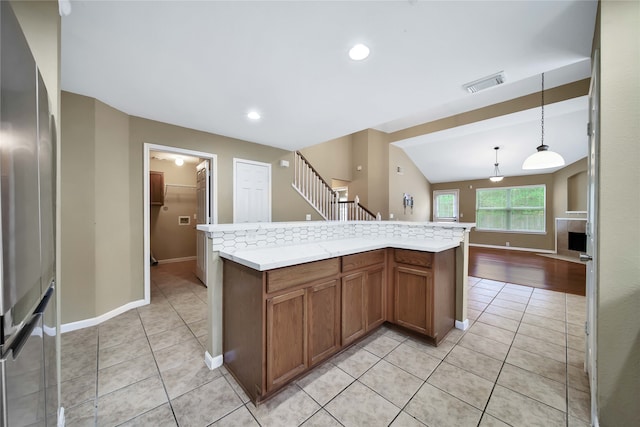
324,320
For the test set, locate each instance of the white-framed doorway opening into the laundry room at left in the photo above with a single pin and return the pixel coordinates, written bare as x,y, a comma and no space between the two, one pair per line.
183,200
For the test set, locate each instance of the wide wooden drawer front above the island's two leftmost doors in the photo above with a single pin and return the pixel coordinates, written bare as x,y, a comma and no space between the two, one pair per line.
282,278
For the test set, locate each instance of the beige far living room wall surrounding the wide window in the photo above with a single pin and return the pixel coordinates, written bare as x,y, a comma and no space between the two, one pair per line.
467,189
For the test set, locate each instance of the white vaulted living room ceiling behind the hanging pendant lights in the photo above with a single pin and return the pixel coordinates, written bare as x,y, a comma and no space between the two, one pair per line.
467,152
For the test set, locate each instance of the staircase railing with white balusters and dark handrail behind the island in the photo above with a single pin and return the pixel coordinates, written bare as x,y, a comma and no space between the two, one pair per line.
315,190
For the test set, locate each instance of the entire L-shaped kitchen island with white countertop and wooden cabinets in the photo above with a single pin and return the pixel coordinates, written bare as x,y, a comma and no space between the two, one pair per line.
291,295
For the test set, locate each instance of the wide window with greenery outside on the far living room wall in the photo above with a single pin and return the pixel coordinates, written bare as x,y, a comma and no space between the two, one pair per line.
520,209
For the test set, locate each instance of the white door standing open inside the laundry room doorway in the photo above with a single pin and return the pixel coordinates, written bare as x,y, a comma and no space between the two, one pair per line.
203,190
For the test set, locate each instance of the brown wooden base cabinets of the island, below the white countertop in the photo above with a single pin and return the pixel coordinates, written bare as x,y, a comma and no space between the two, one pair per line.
279,323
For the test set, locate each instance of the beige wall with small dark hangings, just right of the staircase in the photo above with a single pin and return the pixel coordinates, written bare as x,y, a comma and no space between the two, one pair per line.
411,181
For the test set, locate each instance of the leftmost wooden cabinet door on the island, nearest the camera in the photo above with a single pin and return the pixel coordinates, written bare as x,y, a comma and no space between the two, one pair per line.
286,337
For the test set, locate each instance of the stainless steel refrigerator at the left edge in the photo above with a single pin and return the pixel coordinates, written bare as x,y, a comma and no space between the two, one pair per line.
28,380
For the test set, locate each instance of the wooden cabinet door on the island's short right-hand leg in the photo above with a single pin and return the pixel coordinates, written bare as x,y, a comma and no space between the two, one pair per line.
414,299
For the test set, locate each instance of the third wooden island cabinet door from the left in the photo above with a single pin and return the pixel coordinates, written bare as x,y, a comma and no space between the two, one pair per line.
353,315
